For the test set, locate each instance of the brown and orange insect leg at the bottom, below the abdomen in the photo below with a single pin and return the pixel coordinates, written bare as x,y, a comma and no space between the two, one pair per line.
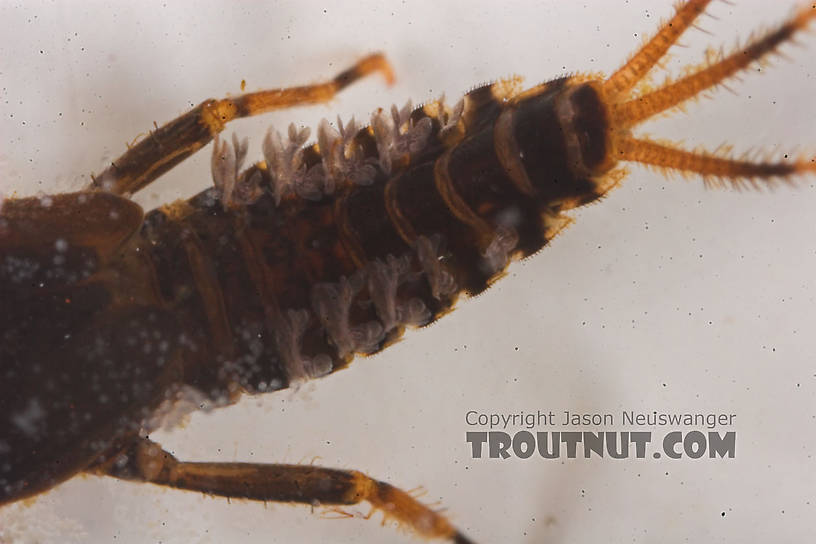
146,461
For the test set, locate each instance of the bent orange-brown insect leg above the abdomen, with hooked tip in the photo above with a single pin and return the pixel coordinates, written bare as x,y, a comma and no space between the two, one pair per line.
173,142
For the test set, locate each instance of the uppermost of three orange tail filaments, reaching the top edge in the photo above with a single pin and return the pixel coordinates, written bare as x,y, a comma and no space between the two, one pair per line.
622,81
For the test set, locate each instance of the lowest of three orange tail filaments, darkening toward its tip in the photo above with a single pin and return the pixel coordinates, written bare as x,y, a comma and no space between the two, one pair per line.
716,171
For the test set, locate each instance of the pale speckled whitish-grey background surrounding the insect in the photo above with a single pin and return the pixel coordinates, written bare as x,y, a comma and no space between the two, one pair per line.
665,296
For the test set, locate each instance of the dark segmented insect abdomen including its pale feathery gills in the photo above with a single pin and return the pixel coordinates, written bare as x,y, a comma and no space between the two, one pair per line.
284,271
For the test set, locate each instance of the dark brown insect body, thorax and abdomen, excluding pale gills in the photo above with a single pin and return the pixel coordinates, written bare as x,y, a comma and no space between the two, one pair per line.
195,294
